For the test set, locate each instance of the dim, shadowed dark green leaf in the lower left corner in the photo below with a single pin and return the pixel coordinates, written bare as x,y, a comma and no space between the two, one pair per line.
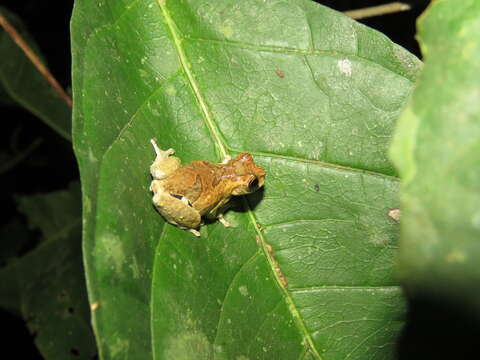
47,286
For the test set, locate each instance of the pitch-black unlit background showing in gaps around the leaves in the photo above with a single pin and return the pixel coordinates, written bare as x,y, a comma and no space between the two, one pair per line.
435,329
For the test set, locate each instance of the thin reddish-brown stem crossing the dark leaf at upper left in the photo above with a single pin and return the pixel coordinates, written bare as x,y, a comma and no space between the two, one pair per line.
37,62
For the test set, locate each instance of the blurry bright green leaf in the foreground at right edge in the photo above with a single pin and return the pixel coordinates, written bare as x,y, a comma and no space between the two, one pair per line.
436,149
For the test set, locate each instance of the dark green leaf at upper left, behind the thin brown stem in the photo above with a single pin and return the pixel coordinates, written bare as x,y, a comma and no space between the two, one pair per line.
22,83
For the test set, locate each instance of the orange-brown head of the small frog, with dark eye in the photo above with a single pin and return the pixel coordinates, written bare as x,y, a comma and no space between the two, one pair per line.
248,175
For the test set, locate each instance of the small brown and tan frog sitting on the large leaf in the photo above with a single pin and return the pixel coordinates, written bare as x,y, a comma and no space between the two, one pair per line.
187,194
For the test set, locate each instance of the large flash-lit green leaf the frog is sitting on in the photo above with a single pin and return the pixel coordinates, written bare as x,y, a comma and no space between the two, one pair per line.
306,269
